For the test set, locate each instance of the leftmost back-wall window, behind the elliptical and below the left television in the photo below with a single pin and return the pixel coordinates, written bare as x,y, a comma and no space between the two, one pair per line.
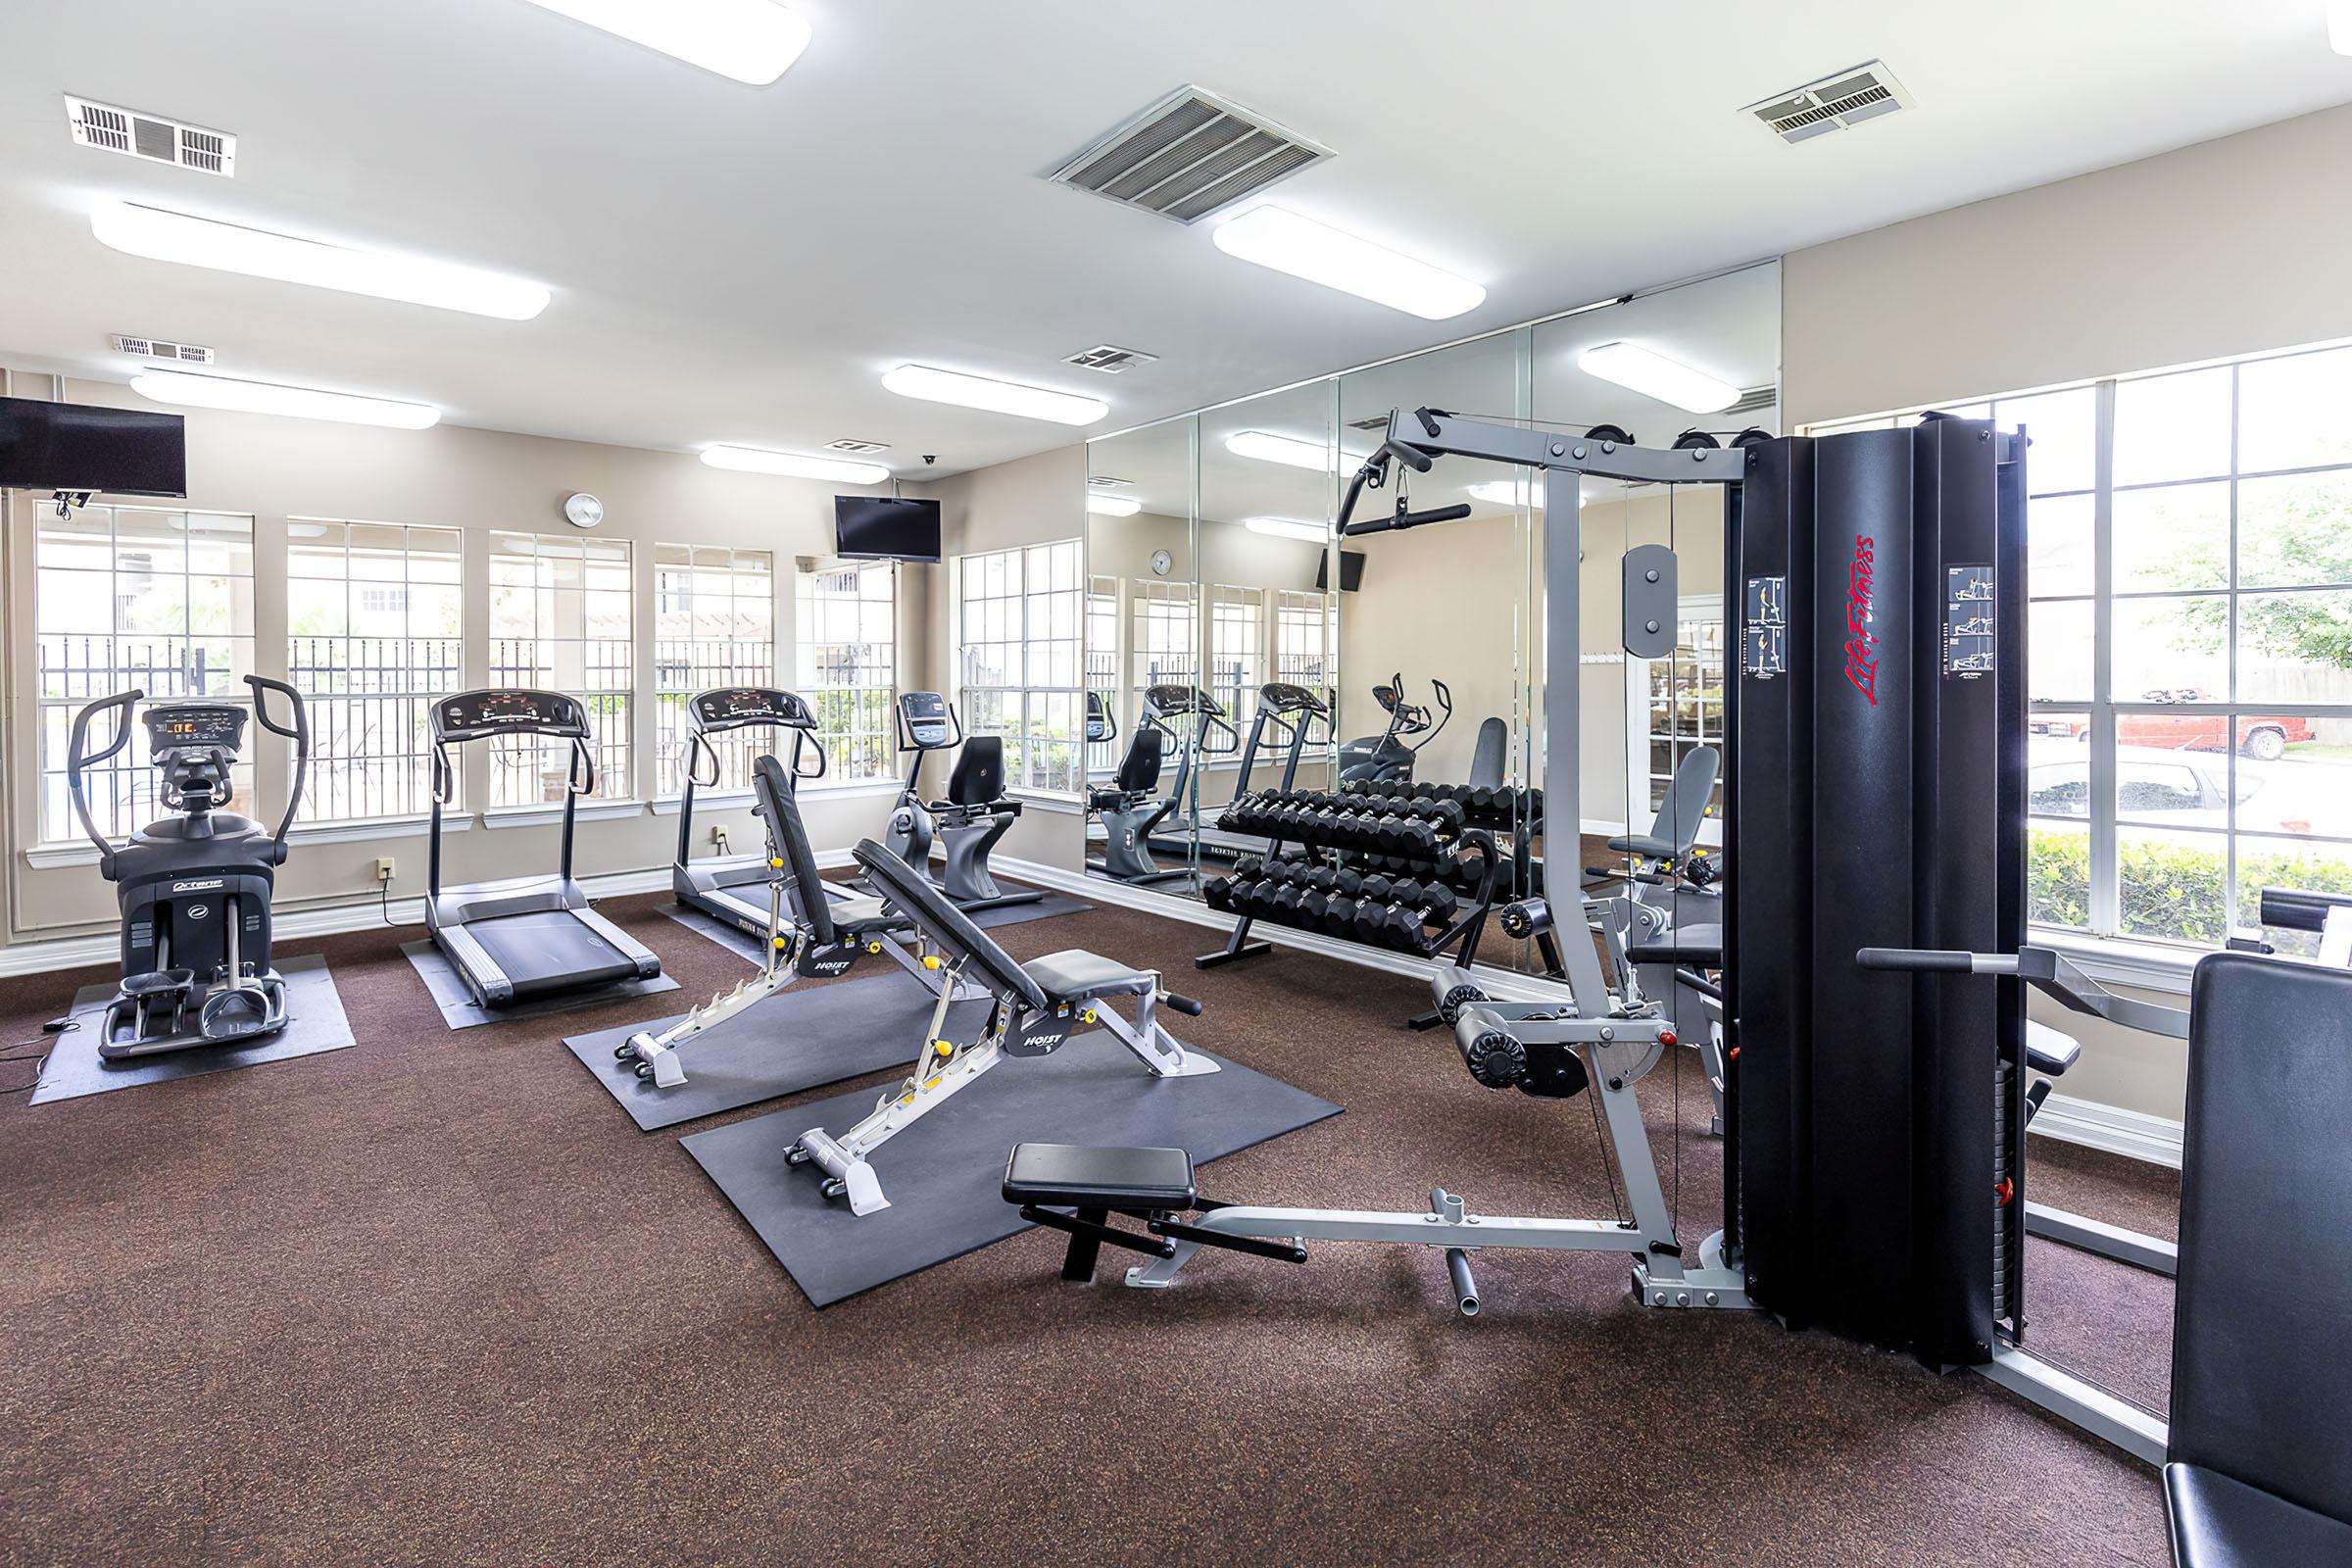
74,664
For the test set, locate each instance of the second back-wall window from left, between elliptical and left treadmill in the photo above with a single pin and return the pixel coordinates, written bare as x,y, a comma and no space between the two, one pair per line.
382,697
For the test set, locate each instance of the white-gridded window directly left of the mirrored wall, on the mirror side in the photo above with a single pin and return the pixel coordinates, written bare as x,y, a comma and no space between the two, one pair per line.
1020,662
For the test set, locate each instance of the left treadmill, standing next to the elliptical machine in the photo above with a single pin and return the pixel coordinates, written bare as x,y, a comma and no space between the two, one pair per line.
526,937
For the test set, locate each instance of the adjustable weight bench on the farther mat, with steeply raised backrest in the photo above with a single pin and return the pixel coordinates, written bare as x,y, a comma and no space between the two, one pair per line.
808,934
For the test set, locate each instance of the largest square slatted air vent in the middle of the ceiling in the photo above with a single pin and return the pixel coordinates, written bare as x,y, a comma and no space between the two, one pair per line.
1189,156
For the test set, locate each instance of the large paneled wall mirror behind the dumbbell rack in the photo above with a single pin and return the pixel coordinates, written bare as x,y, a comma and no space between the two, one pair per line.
1236,645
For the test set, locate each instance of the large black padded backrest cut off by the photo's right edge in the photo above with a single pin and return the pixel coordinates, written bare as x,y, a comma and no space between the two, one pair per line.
2259,1372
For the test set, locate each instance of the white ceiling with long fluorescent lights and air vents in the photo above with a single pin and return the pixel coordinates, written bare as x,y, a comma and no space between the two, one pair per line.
740,264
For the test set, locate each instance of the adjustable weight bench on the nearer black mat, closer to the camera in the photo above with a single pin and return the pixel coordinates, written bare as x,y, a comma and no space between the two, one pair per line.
1038,1007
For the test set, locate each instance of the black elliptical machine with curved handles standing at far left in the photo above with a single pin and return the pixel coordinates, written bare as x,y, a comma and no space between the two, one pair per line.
194,887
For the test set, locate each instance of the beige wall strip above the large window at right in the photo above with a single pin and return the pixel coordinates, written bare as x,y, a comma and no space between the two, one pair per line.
2217,250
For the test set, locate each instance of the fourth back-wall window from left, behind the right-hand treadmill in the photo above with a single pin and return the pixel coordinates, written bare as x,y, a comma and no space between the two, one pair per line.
714,626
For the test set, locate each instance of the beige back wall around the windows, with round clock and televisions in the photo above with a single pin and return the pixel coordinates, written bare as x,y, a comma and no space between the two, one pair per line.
474,481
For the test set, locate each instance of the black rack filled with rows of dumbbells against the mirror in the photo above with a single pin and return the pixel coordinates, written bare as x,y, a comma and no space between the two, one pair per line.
1351,836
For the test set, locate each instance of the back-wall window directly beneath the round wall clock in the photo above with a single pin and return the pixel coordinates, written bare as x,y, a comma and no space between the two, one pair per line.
561,615
